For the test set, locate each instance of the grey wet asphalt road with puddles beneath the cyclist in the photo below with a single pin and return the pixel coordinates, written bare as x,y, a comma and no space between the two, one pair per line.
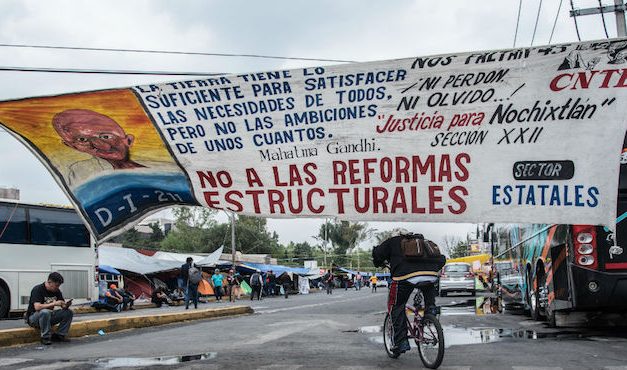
340,331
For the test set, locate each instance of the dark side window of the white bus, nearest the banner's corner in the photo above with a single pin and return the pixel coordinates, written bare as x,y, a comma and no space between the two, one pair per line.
55,227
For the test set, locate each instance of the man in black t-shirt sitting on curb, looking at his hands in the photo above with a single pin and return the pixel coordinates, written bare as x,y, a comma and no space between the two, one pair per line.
41,313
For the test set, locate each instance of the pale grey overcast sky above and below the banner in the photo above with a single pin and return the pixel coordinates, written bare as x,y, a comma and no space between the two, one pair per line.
359,30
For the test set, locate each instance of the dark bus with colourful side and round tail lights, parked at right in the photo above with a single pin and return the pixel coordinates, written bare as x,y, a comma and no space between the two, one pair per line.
563,272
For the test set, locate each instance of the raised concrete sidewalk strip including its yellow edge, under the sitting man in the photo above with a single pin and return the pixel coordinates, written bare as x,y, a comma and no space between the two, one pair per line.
14,332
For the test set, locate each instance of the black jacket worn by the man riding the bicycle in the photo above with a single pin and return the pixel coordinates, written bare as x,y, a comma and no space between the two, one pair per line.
402,269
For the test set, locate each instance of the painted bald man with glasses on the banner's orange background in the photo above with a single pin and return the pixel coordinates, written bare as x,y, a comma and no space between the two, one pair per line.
101,137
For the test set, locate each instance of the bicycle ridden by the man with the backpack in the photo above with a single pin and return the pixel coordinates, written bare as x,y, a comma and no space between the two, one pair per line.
424,329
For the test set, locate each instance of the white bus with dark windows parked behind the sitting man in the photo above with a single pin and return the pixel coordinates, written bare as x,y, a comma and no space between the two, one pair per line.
36,240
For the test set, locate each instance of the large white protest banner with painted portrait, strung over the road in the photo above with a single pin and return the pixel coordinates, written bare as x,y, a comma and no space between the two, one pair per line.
530,135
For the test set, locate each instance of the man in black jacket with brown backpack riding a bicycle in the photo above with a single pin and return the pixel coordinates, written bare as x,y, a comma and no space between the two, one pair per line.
414,263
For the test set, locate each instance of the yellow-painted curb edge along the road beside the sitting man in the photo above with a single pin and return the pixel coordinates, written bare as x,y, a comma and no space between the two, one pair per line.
12,337
